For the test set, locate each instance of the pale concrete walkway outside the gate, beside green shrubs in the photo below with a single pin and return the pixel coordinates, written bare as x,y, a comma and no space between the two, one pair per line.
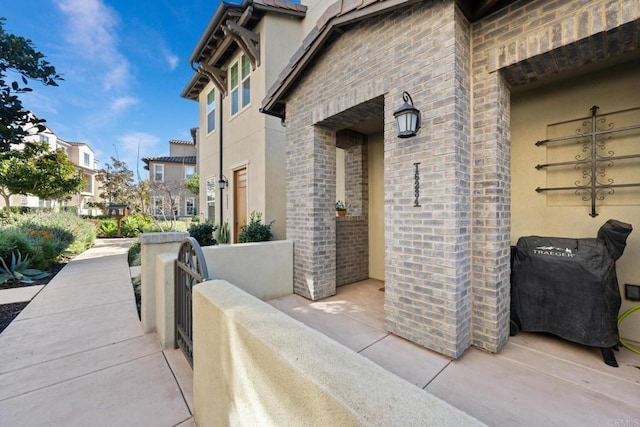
77,355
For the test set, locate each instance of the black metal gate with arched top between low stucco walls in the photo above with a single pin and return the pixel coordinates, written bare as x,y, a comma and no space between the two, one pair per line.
191,269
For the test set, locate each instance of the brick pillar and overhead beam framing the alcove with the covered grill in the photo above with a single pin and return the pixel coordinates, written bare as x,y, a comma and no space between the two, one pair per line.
528,41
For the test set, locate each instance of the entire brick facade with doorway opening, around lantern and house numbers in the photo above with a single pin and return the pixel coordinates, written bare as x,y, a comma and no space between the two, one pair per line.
447,261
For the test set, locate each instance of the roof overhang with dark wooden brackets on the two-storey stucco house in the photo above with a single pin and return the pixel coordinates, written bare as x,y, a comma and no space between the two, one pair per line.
223,34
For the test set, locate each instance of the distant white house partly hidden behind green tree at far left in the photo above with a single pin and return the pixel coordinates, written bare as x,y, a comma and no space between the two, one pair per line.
83,158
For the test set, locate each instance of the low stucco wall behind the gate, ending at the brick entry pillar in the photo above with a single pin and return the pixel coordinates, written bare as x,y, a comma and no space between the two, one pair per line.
265,270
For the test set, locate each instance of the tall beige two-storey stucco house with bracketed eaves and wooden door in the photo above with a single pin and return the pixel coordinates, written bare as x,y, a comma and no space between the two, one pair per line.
241,153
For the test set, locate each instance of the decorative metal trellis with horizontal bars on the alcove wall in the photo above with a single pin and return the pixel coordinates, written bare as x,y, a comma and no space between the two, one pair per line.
593,164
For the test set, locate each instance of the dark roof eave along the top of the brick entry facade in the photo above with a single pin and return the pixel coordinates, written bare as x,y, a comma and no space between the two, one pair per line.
332,22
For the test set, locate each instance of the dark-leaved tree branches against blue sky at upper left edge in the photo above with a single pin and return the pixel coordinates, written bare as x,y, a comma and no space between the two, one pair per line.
18,55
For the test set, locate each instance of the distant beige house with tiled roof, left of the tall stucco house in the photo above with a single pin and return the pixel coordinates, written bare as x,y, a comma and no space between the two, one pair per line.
169,197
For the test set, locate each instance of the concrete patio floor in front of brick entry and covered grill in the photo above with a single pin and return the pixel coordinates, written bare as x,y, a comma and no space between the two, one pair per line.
536,379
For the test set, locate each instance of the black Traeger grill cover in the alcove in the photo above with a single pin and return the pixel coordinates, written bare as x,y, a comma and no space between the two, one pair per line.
568,287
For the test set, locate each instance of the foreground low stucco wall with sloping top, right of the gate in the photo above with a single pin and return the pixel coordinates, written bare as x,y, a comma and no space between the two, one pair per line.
254,365
